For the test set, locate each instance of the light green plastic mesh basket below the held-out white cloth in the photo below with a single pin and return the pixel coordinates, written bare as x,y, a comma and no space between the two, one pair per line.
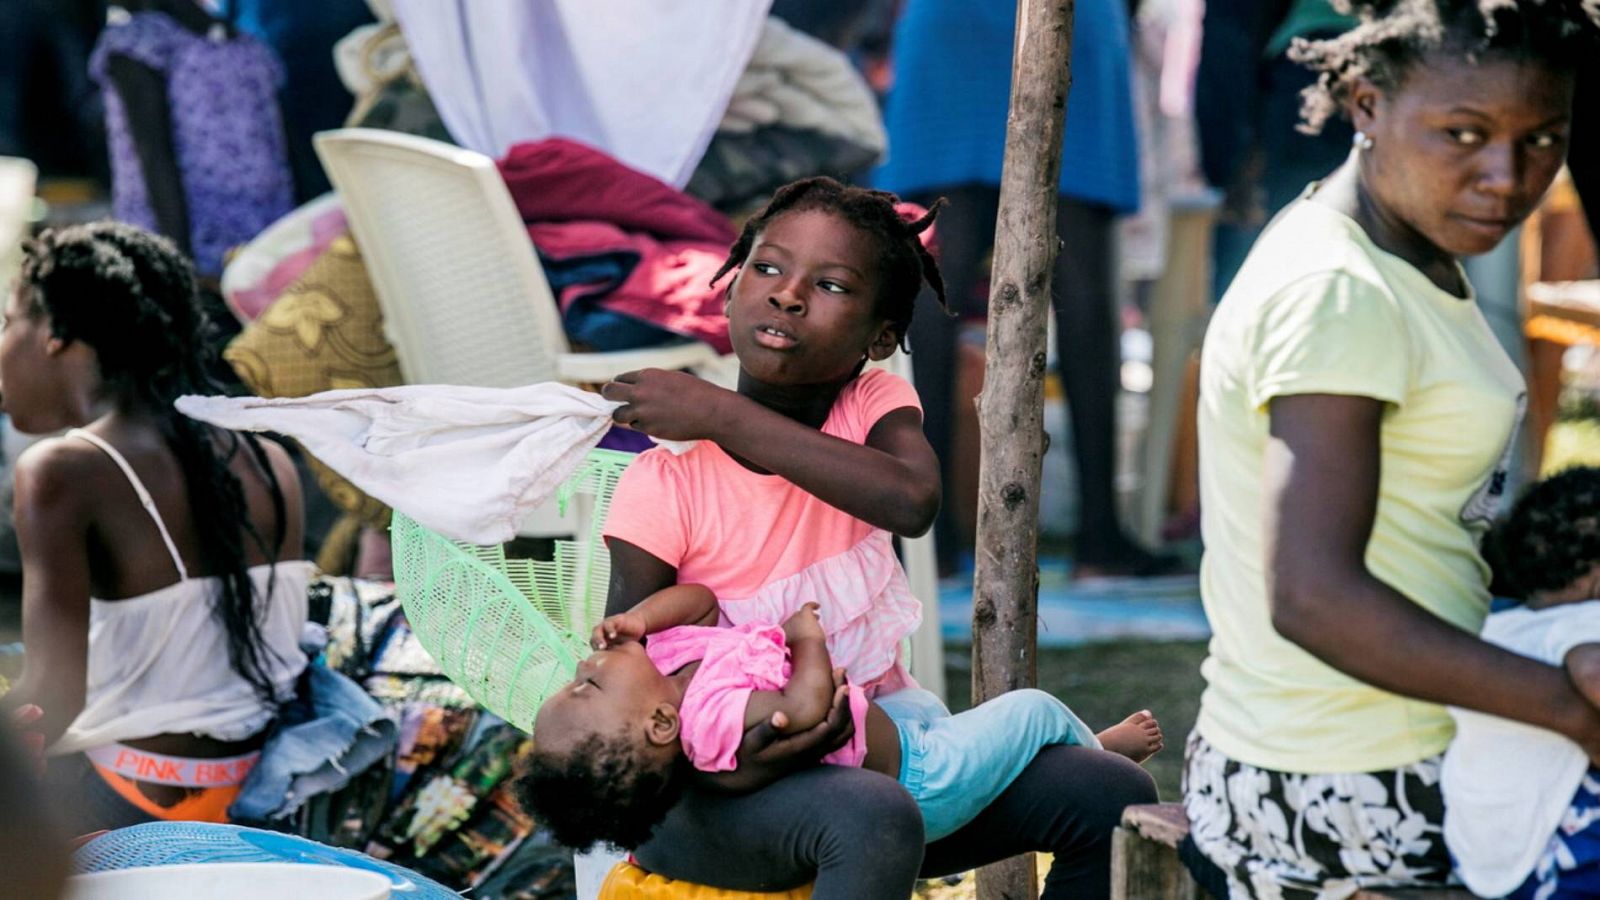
511,632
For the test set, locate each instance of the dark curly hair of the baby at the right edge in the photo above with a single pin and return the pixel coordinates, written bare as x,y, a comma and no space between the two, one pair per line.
1553,536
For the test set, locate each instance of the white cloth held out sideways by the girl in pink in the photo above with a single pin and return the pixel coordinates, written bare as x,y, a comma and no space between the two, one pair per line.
470,464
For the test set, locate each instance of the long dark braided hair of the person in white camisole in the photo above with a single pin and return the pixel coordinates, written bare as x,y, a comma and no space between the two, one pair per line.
132,297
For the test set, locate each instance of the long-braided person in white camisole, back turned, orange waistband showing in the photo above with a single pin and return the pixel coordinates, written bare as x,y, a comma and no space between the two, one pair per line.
164,590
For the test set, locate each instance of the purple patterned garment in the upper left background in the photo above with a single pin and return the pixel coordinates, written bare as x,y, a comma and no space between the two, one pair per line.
194,129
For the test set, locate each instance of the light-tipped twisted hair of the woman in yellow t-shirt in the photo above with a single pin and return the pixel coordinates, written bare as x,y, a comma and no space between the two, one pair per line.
1394,34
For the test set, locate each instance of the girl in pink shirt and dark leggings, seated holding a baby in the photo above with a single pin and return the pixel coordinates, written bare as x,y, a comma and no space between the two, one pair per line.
794,494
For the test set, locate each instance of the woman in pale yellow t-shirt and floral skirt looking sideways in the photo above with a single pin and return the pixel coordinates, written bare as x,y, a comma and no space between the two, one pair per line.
1356,419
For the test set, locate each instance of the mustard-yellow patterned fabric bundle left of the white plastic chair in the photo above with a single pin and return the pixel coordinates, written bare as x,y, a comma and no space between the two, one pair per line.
326,332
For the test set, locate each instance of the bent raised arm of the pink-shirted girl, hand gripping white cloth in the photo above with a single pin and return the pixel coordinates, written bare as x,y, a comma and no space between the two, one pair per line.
892,481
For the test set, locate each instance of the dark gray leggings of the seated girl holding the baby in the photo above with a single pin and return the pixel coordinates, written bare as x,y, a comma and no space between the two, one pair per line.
858,834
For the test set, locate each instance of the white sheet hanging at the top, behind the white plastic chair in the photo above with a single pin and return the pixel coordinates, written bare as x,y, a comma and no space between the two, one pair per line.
642,81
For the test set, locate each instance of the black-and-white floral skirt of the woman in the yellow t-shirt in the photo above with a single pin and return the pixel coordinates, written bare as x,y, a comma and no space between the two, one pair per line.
1286,837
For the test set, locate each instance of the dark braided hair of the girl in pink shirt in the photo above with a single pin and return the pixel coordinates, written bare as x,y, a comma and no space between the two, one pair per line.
903,260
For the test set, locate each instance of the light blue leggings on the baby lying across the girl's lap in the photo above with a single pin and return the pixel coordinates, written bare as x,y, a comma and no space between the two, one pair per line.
956,766
